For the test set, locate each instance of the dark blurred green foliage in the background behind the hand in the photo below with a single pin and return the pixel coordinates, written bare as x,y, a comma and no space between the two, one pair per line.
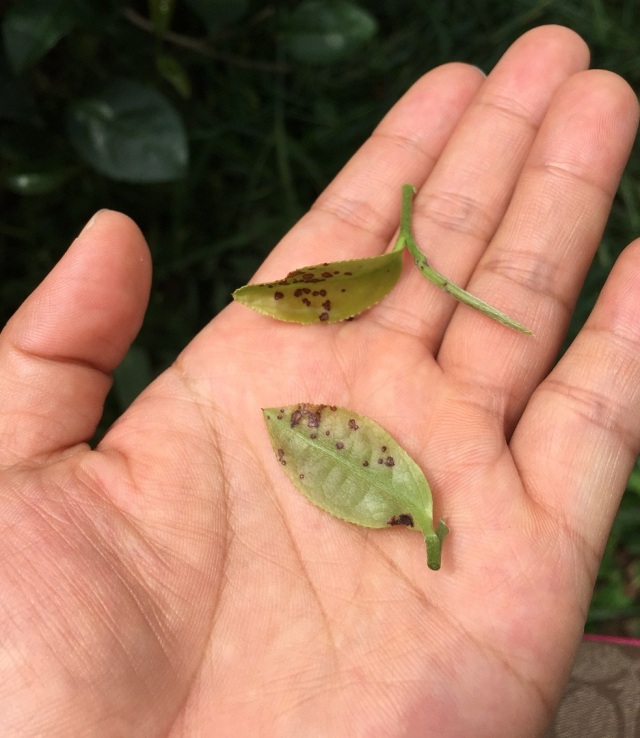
216,123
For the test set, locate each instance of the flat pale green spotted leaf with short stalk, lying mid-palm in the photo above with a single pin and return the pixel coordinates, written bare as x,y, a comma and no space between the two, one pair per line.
351,467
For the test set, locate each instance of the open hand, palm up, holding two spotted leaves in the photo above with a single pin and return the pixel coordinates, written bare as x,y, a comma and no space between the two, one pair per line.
172,583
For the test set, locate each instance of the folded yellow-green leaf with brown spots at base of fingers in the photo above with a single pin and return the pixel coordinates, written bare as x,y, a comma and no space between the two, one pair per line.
325,293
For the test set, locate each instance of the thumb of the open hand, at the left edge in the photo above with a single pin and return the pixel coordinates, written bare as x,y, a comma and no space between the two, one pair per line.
57,351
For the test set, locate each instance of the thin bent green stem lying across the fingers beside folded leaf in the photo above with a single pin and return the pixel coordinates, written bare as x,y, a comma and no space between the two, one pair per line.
406,239
